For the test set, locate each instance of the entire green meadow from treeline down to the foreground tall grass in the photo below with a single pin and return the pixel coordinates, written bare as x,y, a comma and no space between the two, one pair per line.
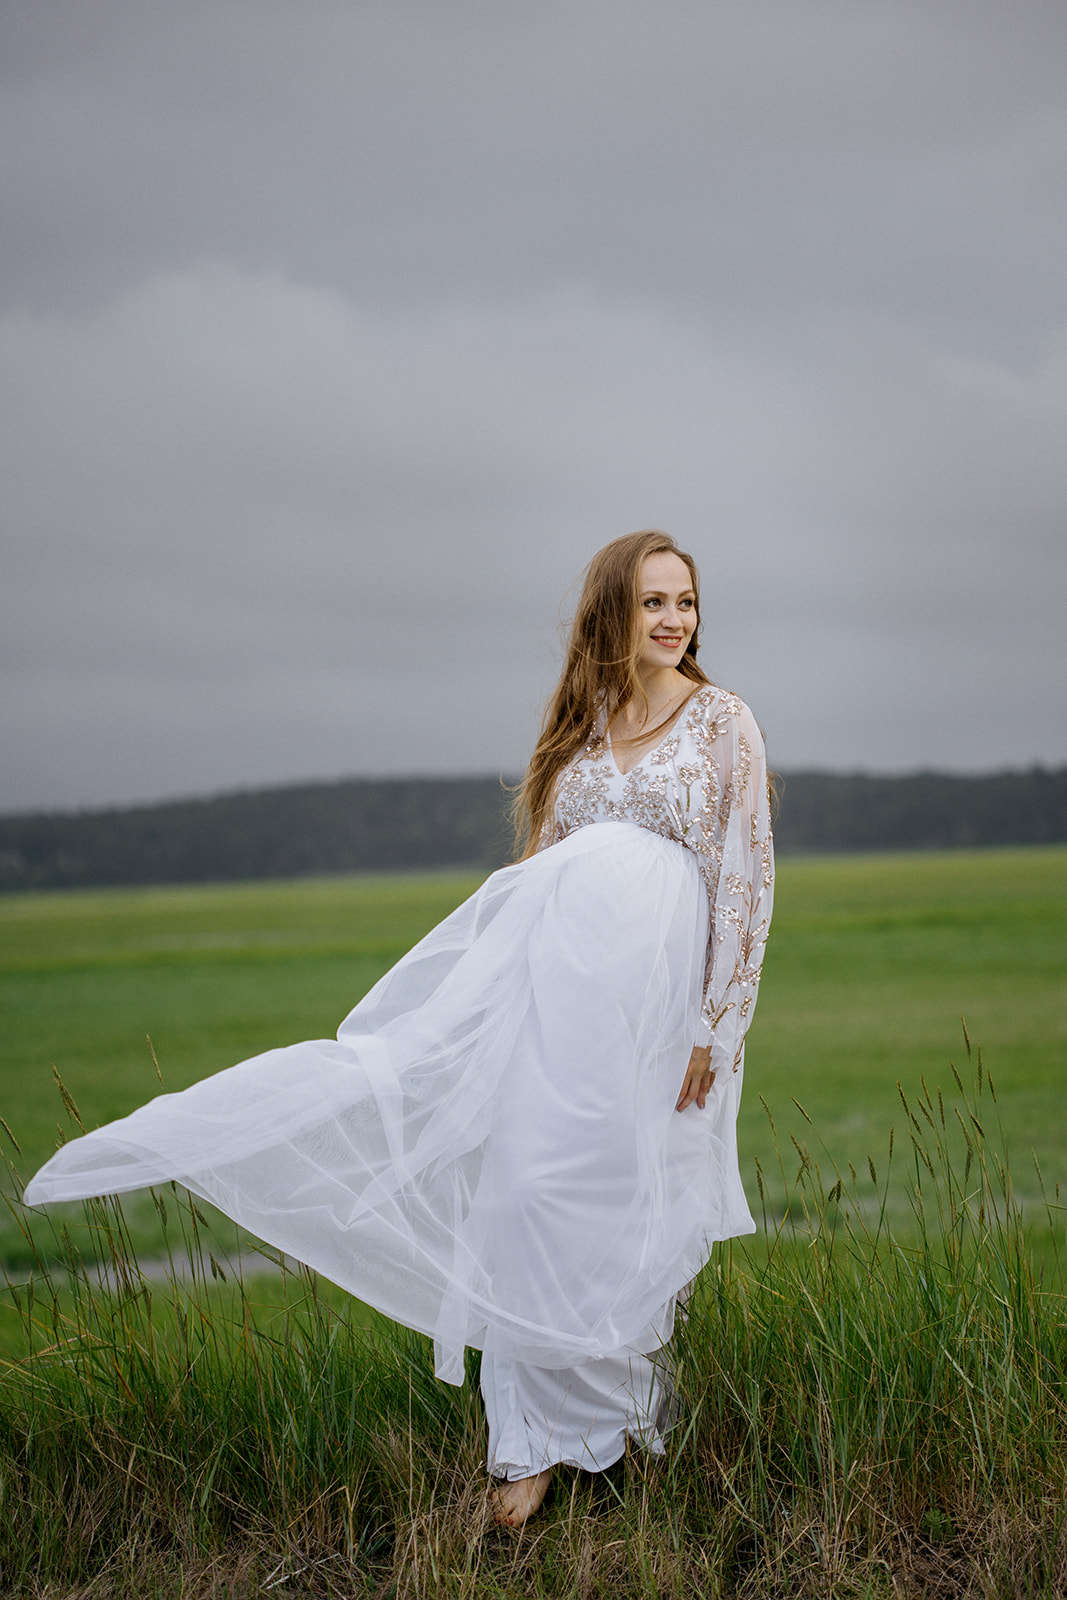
876,1396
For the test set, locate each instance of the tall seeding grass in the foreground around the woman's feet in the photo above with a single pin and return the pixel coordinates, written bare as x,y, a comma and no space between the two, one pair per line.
861,1418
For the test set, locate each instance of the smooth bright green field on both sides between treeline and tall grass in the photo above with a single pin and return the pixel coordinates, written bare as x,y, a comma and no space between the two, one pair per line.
873,964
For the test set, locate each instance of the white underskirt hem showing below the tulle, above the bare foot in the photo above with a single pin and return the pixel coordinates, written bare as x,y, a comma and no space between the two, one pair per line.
577,1417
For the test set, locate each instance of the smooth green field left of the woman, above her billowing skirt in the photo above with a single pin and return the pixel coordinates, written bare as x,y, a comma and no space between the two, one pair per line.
209,975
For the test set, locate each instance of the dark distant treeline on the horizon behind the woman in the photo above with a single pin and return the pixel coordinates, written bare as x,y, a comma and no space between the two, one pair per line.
369,825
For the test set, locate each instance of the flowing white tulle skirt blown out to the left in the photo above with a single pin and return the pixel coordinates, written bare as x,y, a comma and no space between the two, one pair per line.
489,1151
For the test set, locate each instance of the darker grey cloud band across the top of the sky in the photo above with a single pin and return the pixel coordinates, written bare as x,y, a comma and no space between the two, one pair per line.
738,156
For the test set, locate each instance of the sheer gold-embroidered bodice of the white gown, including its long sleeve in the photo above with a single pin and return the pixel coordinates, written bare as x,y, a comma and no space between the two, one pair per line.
705,786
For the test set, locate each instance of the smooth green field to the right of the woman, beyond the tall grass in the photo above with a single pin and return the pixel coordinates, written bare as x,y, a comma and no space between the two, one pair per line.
871,966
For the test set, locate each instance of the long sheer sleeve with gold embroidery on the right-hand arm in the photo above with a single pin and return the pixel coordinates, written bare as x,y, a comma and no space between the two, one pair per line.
730,831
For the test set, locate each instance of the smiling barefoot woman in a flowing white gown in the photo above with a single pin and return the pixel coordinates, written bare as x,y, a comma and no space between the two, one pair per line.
524,1137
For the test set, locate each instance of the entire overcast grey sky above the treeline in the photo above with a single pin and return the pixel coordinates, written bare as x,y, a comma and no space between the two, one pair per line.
338,335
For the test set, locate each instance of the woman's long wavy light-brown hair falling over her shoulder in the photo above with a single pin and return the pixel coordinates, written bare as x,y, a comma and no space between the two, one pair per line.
599,673
